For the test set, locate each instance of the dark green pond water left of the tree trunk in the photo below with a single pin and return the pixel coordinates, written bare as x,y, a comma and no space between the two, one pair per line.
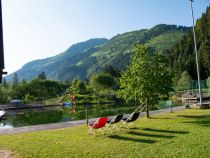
53,115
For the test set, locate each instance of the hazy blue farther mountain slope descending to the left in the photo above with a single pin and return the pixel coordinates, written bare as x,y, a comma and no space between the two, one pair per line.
54,65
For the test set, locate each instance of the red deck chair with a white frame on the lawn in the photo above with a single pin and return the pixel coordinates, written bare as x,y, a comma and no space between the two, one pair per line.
100,123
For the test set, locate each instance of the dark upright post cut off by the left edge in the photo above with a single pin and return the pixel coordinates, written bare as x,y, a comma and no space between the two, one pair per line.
1,46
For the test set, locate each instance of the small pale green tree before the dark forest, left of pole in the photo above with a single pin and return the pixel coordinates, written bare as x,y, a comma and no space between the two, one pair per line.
184,82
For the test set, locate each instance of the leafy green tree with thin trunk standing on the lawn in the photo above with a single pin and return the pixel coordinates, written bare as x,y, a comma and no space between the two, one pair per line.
146,79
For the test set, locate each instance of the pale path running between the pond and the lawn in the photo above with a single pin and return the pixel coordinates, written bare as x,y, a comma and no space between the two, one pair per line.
4,131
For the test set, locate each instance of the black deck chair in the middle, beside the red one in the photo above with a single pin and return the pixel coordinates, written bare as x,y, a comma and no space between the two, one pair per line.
111,124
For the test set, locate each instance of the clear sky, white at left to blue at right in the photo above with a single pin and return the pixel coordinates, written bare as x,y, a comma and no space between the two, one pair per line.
36,29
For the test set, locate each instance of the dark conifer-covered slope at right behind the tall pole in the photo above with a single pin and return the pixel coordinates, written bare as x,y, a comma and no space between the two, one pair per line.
182,56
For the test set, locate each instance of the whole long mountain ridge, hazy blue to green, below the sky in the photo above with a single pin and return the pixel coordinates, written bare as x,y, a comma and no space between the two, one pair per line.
83,59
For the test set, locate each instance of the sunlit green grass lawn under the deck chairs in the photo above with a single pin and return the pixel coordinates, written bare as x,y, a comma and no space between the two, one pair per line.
180,134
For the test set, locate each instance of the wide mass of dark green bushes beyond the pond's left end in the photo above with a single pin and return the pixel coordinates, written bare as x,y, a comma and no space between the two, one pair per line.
35,90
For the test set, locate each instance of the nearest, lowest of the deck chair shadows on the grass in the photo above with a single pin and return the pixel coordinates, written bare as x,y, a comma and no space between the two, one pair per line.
117,137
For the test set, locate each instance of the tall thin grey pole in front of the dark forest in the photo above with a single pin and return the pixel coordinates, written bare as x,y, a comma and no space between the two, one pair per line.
196,53
